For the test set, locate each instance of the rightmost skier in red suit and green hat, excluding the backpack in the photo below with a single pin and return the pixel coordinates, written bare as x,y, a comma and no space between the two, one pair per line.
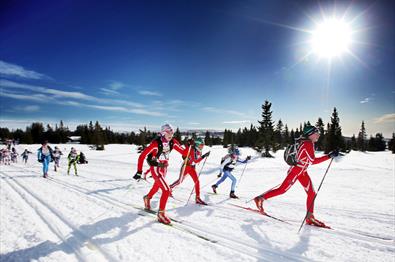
305,157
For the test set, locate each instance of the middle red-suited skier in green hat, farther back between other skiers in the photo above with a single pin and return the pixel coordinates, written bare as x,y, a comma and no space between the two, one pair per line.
195,156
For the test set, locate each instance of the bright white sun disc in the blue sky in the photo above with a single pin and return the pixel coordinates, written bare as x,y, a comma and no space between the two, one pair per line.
331,38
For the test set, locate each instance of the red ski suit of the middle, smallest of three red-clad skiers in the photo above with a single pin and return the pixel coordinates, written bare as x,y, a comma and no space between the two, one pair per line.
194,158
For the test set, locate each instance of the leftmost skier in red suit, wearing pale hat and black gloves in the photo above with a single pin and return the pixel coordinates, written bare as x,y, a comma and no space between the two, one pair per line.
157,154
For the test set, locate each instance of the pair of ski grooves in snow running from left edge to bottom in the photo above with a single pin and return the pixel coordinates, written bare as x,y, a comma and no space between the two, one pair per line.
80,237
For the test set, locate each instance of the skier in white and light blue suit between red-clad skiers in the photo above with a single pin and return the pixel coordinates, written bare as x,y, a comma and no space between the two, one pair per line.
228,163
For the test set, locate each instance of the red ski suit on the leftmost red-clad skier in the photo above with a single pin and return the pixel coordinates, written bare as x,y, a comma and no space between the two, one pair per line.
159,173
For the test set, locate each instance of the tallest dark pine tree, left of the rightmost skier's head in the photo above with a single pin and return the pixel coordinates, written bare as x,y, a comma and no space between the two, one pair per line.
266,131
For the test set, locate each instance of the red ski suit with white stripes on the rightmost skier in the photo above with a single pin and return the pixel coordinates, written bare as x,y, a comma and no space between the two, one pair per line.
299,172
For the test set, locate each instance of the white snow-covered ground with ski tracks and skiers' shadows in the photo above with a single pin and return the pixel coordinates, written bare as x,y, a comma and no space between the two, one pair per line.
95,217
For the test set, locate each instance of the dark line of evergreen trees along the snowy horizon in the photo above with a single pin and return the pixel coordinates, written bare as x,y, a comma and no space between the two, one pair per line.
267,136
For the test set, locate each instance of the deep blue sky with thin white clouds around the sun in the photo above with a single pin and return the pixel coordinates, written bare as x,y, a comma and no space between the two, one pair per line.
194,64
